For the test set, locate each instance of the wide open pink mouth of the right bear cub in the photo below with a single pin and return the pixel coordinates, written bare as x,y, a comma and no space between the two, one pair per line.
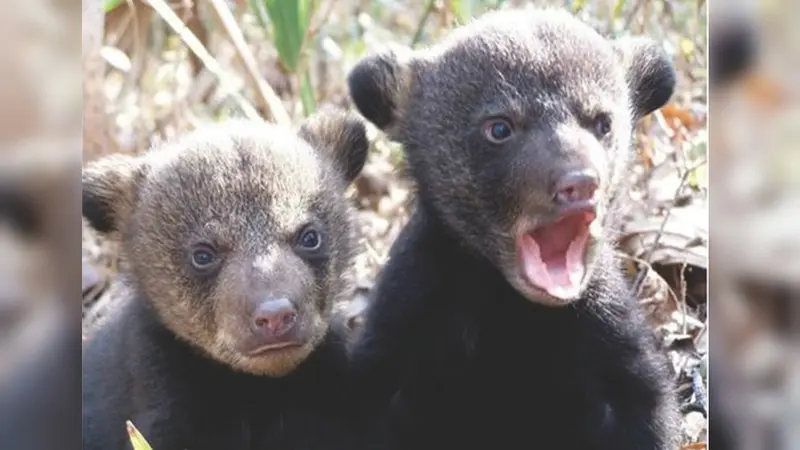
551,256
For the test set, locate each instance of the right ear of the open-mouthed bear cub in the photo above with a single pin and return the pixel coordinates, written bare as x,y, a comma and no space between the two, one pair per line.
649,72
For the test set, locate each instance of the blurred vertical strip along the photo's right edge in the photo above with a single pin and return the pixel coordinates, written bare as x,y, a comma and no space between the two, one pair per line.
755,253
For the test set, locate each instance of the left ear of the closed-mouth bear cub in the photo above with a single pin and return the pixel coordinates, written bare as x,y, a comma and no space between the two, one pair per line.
109,186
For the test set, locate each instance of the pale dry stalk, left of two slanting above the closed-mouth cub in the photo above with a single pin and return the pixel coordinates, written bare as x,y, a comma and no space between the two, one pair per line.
194,44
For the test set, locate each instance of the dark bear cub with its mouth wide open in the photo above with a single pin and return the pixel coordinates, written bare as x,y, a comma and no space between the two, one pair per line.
502,319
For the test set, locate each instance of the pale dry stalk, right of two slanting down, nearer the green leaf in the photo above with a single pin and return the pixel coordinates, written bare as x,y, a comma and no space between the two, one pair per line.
269,99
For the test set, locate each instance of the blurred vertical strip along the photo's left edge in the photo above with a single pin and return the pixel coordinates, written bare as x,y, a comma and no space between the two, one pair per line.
40,150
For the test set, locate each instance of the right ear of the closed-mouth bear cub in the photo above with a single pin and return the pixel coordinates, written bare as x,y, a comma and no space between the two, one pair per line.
342,136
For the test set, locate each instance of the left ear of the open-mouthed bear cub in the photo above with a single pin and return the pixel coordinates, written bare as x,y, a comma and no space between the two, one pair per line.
379,84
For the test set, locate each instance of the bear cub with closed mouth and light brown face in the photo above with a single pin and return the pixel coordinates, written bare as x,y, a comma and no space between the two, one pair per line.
237,241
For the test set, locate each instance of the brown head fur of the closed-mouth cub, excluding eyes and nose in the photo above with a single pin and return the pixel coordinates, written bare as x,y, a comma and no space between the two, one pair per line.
247,188
